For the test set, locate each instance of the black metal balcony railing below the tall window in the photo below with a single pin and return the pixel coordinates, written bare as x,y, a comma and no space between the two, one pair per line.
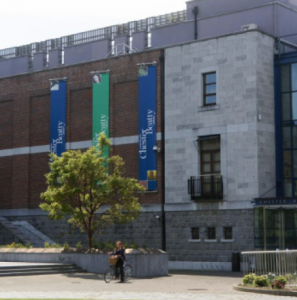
209,187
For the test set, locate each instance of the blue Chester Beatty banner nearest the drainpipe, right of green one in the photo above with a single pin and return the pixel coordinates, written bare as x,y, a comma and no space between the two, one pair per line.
147,93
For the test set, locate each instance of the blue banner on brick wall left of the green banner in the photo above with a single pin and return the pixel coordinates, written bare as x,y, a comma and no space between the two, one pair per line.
58,116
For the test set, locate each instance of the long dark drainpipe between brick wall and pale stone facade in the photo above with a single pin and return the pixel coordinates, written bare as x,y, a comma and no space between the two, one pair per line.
162,63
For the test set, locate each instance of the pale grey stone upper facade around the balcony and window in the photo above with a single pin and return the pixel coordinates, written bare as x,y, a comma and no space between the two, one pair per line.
243,116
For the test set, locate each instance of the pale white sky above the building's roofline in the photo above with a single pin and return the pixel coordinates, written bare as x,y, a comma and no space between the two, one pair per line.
27,21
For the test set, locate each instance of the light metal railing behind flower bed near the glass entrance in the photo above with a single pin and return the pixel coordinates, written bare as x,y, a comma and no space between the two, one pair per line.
265,262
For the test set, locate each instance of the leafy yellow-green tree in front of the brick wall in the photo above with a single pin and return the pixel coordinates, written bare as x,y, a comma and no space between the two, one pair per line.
91,189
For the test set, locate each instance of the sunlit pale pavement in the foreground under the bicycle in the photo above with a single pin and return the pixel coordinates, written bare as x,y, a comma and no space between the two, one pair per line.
177,286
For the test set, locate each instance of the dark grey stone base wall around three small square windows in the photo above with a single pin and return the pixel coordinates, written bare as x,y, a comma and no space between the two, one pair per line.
181,248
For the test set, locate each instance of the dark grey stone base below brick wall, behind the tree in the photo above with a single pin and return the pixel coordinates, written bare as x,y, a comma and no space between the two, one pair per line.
145,231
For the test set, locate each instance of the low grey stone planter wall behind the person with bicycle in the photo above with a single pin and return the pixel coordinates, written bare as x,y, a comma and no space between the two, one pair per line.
144,263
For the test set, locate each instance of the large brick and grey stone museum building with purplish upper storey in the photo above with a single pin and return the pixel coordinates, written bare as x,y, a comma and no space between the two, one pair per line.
225,85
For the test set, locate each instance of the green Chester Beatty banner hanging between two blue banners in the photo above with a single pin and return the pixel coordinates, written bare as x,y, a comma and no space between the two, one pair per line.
100,106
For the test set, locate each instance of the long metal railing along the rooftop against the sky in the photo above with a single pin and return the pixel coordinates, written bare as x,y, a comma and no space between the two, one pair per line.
93,35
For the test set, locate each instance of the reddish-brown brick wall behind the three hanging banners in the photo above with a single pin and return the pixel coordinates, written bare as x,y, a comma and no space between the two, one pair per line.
25,121
